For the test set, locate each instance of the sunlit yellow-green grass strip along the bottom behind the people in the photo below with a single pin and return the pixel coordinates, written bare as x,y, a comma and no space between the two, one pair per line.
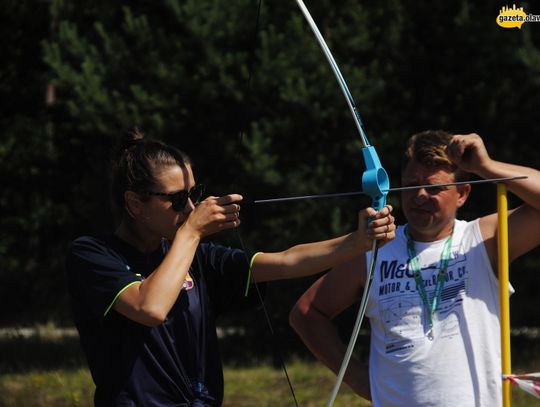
261,386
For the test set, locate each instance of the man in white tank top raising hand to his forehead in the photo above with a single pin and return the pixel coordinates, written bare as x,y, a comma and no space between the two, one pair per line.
433,305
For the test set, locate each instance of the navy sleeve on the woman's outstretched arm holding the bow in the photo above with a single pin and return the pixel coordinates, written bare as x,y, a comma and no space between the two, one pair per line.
226,271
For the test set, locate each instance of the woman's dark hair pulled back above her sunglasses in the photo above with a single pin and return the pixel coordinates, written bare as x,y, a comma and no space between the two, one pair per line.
135,162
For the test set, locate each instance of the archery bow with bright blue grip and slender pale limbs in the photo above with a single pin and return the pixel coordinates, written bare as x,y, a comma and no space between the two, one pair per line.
375,182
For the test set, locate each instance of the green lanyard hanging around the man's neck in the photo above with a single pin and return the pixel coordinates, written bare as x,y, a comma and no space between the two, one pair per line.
431,306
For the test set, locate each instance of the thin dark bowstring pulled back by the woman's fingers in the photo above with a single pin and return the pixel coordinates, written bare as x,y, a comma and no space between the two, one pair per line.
260,297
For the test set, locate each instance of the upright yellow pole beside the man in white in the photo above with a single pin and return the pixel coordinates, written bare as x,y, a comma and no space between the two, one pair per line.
504,295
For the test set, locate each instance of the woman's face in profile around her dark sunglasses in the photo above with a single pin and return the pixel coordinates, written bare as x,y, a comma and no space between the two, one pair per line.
161,219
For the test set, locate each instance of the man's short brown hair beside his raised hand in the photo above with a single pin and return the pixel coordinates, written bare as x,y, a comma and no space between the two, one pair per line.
429,148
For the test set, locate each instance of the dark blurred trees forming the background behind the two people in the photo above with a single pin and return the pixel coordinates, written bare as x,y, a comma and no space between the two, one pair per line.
244,89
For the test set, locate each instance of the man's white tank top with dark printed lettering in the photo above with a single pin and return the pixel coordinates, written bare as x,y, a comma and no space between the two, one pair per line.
460,366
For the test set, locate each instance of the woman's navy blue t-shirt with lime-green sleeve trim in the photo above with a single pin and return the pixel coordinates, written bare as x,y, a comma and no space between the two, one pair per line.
174,364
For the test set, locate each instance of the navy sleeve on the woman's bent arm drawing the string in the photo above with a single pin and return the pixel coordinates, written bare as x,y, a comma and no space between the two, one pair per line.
96,275
